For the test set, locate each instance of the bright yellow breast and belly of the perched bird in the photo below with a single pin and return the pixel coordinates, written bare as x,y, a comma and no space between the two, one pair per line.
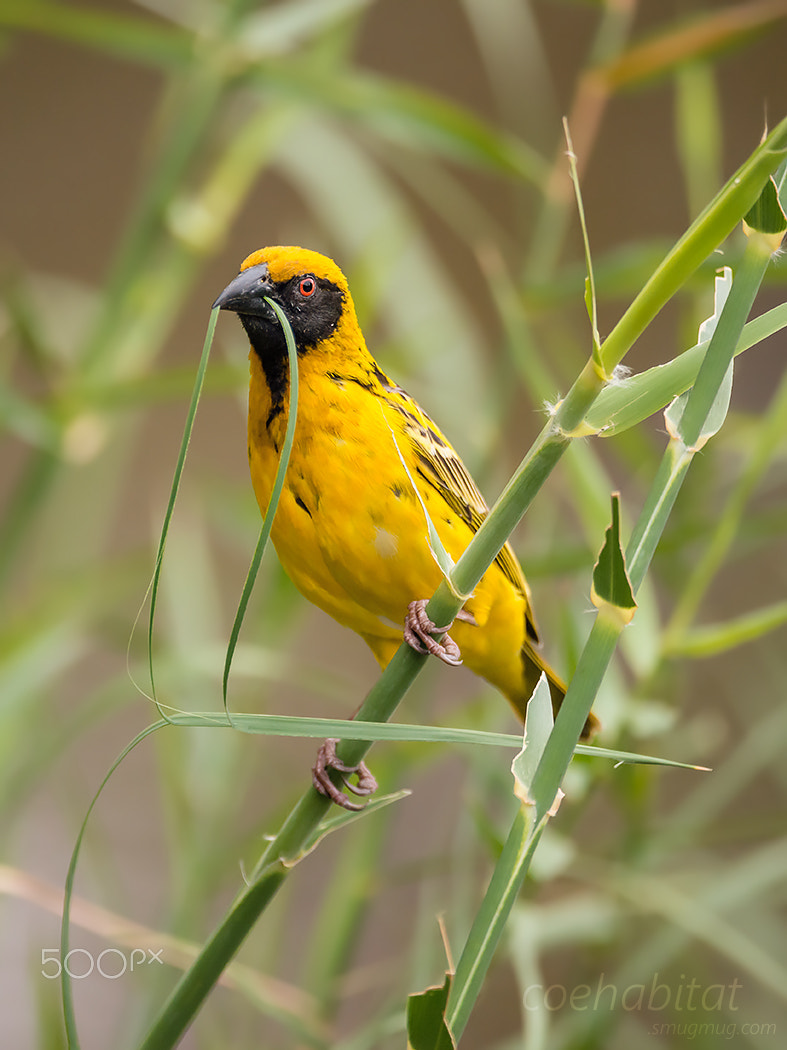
352,535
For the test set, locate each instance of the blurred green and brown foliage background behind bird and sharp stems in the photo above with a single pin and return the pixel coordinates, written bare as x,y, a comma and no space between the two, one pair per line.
147,150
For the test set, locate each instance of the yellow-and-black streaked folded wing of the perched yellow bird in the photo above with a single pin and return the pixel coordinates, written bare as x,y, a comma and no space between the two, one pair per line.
440,467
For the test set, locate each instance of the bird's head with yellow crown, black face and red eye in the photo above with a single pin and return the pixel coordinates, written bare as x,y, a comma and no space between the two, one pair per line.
310,288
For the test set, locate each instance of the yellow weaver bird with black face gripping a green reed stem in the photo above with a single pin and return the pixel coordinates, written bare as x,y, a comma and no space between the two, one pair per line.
367,466
